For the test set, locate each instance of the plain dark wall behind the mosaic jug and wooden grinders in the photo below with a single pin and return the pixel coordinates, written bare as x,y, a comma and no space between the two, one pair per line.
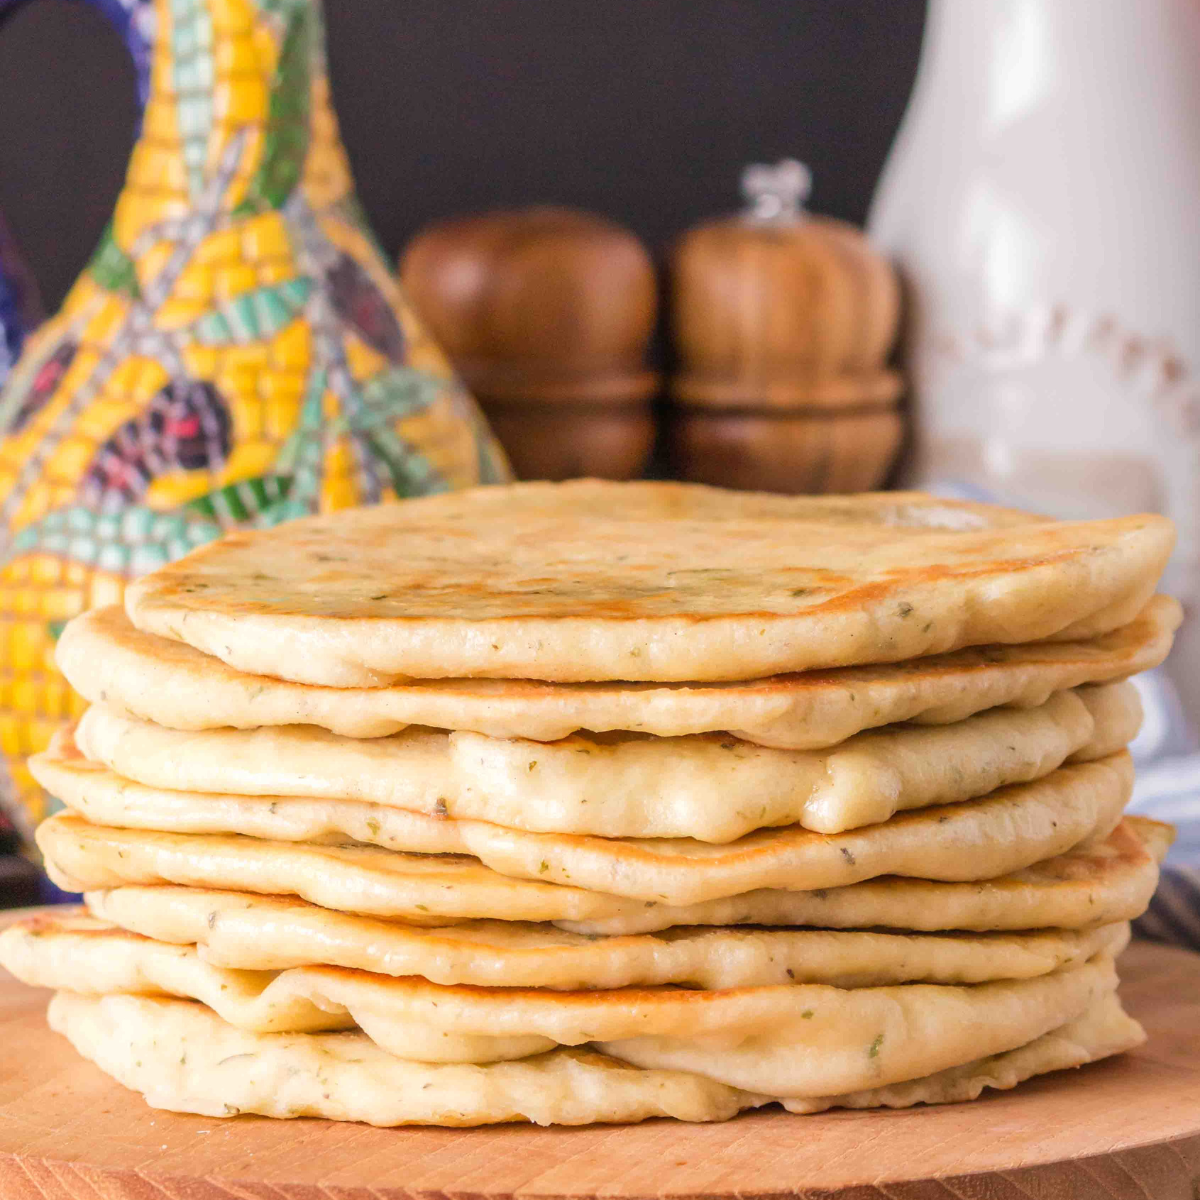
643,110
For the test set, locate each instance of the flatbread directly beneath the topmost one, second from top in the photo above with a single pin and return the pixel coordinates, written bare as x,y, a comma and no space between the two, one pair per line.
159,680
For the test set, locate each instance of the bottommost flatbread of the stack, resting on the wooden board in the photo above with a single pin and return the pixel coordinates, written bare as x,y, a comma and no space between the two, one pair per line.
221,1072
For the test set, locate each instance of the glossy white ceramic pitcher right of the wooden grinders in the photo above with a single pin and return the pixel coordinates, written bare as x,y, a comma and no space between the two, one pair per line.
1043,203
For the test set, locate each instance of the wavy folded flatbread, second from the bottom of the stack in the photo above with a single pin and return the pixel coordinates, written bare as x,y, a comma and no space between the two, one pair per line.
857,1037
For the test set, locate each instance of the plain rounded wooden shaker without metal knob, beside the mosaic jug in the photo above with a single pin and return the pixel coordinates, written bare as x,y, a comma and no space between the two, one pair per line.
547,314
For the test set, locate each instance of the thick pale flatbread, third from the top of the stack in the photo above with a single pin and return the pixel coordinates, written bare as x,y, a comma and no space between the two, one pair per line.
712,788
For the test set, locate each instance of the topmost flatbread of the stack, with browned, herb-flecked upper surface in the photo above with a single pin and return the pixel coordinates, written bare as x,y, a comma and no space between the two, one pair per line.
593,581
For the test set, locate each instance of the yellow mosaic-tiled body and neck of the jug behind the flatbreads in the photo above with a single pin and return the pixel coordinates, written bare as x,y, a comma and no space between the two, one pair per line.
236,355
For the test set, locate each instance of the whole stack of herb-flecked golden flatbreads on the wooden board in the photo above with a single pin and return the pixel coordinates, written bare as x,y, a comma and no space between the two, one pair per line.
595,802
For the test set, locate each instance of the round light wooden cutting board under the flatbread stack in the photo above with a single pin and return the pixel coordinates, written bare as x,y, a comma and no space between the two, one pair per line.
1126,1129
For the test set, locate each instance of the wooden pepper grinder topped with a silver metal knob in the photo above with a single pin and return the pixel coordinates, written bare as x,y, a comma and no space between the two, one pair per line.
783,322
